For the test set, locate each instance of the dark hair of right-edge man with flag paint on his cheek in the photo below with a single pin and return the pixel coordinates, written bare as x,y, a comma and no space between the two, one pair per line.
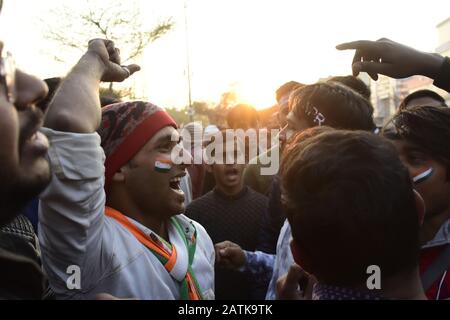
428,128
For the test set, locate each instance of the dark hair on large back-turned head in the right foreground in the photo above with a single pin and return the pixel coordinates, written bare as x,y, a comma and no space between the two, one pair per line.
350,204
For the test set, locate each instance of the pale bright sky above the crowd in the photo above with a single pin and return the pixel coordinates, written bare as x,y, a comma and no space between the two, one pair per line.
249,46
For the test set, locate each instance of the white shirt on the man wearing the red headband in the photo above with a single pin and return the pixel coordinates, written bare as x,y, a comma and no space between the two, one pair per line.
75,233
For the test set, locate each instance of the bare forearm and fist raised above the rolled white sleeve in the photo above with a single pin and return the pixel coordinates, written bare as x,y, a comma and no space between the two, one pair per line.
76,105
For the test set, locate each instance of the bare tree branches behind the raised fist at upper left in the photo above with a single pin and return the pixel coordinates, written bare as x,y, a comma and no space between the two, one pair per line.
118,22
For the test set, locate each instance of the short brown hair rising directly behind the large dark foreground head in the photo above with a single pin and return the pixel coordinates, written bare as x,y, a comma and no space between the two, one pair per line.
334,105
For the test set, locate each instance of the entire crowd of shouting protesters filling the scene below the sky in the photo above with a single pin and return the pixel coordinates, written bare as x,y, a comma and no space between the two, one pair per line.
94,207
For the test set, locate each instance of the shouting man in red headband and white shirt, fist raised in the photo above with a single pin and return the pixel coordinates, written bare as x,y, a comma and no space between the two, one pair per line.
110,220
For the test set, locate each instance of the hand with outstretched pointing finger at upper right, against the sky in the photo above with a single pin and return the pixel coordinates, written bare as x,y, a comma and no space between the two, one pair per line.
393,59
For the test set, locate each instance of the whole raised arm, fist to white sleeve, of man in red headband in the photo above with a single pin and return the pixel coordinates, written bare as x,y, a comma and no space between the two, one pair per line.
71,210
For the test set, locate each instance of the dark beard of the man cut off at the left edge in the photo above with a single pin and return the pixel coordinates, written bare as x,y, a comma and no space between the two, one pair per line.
16,195
